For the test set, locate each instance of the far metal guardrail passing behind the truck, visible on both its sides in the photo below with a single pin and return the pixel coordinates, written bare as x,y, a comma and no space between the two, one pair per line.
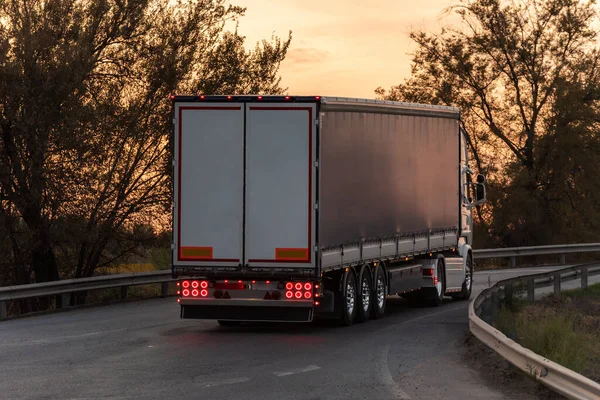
66,287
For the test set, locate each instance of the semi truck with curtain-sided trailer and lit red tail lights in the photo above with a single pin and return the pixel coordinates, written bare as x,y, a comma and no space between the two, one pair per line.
288,208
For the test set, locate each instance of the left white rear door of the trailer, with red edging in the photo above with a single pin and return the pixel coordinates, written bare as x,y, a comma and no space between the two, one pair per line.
209,184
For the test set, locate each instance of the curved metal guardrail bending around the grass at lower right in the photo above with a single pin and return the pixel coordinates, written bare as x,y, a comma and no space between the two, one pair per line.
483,310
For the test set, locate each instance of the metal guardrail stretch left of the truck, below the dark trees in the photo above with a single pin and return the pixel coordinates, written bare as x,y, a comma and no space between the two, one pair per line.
68,286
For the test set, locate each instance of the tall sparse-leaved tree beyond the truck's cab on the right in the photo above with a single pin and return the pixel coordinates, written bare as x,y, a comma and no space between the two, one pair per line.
508,66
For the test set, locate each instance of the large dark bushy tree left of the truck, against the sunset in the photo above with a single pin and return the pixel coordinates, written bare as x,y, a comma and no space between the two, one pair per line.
85,115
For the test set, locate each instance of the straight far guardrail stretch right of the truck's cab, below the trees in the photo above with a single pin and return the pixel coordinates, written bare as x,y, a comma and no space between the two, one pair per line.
513,252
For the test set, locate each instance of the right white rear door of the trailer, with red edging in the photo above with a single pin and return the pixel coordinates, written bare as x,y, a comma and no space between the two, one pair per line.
280,184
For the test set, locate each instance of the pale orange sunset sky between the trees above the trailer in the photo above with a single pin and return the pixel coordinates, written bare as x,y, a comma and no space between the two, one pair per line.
342,47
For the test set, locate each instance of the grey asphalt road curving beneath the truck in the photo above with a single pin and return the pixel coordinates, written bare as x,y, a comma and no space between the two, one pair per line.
143,350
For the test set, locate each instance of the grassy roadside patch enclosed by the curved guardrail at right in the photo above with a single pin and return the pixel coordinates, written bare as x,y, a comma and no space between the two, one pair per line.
563,329
